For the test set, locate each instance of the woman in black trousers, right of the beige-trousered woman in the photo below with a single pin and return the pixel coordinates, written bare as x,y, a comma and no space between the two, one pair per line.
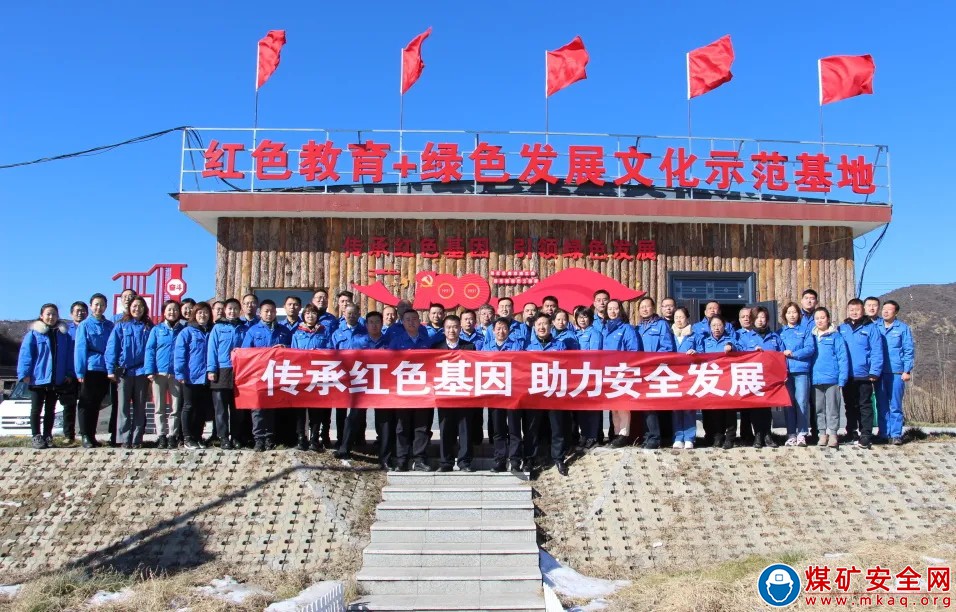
189,363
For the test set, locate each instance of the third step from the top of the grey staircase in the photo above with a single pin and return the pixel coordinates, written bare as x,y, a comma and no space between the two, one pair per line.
455,511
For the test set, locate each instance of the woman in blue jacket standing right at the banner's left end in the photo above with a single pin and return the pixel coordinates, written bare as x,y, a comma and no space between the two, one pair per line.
234,427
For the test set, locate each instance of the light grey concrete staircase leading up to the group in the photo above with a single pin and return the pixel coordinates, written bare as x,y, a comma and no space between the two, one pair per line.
452,541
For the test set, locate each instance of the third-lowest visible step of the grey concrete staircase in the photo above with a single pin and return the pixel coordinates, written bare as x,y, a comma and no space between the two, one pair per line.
451,554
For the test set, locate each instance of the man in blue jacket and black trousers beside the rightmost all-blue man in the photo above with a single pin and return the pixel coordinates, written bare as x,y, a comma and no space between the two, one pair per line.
865,347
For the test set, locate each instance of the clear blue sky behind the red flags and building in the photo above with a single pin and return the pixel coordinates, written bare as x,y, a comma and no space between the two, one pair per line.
80,75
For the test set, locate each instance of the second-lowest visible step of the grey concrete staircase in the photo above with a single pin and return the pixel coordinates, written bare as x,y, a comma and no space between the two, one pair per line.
449,580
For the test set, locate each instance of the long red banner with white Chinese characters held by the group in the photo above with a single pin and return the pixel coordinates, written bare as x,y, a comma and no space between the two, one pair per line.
566,380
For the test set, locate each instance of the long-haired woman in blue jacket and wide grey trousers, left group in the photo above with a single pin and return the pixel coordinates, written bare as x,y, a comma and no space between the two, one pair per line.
126,365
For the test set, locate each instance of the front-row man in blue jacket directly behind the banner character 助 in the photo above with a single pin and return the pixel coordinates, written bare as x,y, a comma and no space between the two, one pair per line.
526,435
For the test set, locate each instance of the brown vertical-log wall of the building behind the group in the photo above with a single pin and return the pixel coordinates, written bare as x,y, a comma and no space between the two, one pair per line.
301,253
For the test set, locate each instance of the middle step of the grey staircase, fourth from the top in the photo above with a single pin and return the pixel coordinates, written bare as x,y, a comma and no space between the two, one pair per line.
455,531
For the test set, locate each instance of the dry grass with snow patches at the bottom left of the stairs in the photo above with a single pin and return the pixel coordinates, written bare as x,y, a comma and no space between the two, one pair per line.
71,590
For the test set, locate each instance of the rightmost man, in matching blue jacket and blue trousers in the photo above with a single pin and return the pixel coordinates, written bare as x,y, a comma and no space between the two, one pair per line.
898,361
